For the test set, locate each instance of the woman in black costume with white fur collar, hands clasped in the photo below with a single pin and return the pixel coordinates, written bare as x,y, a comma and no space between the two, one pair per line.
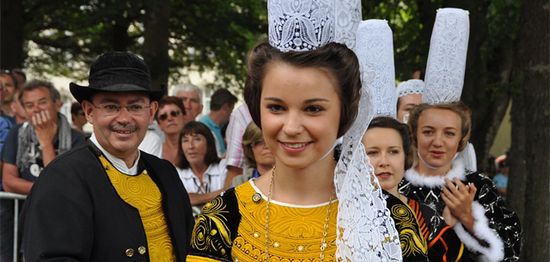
466,200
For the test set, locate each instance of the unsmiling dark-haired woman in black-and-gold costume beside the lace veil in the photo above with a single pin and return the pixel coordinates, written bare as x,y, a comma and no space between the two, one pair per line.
387,144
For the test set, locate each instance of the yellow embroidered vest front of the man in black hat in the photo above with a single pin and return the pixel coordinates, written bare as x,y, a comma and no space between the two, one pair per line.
143,194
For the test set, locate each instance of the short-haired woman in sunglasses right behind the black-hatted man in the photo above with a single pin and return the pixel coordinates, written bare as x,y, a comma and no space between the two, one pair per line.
171,119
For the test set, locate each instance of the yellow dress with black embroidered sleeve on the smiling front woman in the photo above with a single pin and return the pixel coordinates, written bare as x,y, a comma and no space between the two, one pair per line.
232,228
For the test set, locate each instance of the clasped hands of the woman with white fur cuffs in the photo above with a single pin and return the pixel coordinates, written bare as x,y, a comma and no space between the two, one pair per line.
458,199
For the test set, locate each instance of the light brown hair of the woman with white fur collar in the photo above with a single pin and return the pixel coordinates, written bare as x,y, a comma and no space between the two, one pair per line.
457,107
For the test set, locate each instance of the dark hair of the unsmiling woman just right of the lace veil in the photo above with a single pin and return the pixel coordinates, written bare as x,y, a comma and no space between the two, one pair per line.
402,129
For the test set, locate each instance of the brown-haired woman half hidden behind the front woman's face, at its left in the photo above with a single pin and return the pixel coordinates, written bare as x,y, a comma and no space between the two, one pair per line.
257,156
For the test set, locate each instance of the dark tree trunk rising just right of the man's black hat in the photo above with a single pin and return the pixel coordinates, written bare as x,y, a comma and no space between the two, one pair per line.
155,46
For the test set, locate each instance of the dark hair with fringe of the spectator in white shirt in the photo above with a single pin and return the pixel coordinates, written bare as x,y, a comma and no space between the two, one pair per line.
198,128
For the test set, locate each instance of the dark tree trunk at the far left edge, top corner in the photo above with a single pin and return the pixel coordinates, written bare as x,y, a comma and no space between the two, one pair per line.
11,34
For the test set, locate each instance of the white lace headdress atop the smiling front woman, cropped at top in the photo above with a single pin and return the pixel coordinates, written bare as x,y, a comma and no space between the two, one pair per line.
301,25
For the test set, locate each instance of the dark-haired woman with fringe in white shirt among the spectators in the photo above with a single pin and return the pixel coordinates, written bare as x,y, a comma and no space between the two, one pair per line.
200,169
